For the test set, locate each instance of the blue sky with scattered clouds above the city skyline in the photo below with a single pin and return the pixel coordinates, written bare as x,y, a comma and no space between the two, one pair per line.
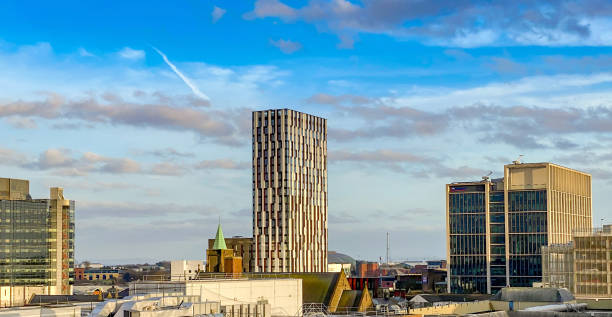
141,110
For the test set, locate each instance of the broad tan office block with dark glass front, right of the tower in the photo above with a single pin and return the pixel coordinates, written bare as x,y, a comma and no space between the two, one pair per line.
496,228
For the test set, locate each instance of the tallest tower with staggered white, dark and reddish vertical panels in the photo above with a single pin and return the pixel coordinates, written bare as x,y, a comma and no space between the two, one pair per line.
289,191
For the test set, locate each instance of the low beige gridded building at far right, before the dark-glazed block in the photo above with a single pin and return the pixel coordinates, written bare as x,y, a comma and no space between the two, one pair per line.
583,266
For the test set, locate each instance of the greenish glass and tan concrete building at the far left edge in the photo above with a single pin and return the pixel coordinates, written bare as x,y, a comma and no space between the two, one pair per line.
36,243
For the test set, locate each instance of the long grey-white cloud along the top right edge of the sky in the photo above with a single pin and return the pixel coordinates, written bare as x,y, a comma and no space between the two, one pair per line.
460,23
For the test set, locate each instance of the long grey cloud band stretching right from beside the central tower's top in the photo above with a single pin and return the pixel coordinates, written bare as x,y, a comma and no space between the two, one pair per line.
528,127
